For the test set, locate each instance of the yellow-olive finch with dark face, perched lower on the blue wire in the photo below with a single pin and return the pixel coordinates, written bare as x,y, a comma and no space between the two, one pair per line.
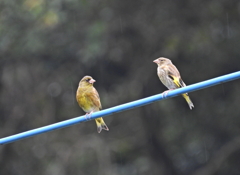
88,99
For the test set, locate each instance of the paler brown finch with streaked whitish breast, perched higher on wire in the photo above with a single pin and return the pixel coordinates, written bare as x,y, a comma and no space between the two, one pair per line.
170,77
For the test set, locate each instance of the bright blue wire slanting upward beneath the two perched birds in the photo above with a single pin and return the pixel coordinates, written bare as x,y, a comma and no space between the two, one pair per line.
123,107
